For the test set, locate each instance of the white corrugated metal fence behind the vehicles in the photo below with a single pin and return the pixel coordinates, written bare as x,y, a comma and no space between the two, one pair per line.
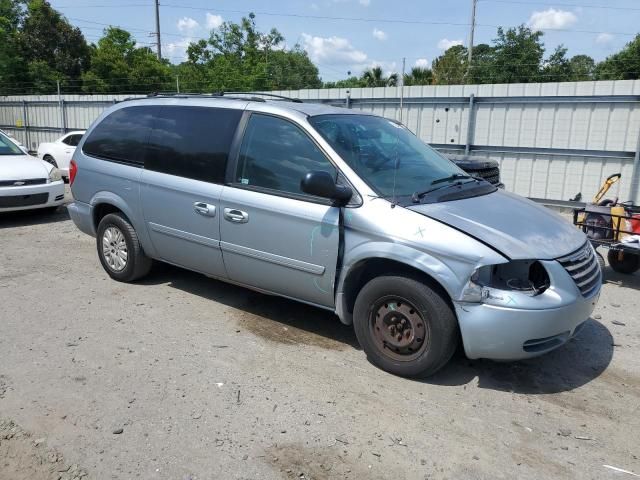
553,140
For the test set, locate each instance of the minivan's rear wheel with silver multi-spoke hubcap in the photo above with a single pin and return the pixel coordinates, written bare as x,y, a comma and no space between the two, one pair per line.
119,249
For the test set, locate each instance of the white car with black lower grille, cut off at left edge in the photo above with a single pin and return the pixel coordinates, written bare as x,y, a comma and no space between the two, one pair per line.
27,182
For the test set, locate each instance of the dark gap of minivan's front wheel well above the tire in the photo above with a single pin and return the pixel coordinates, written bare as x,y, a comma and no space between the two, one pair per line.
366,270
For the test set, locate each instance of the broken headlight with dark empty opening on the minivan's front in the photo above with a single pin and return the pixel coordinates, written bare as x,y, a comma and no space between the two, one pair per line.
528,277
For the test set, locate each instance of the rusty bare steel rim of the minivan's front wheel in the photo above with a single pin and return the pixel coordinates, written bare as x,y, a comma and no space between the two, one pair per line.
398,329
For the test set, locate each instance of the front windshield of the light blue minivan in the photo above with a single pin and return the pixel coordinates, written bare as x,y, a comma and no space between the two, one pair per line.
384,153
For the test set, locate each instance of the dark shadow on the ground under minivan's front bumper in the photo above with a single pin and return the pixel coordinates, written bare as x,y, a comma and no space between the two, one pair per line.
578,362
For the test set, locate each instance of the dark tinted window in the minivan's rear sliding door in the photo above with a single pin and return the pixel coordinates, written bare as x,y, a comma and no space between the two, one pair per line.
192,142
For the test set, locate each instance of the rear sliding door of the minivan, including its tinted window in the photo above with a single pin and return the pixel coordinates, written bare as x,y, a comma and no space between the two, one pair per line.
184,171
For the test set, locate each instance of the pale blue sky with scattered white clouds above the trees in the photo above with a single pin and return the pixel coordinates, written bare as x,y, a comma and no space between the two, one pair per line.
365,33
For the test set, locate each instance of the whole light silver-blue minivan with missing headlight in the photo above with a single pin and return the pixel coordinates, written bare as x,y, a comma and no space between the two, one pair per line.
336,208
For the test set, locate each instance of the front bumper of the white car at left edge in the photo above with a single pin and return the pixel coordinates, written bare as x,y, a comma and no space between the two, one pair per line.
31,196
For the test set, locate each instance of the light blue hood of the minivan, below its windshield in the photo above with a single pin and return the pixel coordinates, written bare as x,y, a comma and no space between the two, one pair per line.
513,225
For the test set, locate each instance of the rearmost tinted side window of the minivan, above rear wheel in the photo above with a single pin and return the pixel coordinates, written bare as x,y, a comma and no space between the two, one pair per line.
122,135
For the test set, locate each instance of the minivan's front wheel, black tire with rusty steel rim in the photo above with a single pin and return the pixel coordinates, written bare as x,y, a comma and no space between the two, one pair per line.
381,307
